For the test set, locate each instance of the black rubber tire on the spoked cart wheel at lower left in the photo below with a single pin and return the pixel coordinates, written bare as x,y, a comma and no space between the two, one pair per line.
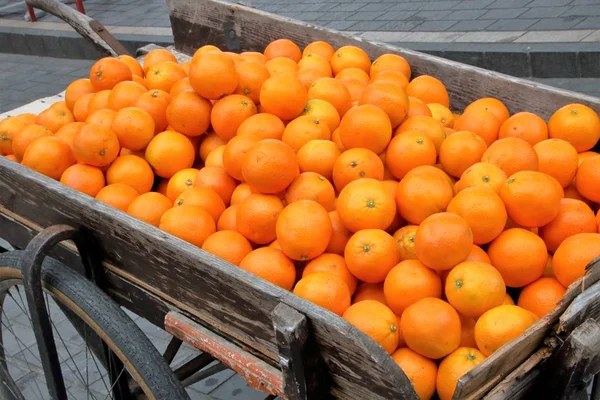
112,320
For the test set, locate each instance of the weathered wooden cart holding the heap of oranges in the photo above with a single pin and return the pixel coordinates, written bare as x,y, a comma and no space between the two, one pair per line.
279,343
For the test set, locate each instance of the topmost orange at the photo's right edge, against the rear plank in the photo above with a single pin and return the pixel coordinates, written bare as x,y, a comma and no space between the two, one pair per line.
577,124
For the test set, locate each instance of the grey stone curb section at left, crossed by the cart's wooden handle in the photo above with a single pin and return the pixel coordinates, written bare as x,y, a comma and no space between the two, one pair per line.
65,44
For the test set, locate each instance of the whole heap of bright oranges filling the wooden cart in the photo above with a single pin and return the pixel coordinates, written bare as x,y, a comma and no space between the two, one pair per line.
344,180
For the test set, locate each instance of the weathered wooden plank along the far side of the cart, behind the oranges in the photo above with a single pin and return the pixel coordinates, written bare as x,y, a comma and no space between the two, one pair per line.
239,28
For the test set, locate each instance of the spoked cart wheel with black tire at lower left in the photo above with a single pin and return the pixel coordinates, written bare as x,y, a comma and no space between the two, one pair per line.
92,335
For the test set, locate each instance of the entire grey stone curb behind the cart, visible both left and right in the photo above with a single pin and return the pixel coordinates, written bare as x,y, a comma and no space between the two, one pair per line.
525,60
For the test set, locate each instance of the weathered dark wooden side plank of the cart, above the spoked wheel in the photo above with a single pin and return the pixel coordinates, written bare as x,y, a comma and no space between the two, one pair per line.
227,298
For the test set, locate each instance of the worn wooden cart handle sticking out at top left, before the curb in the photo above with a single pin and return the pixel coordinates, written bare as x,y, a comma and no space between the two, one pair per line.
87,27
